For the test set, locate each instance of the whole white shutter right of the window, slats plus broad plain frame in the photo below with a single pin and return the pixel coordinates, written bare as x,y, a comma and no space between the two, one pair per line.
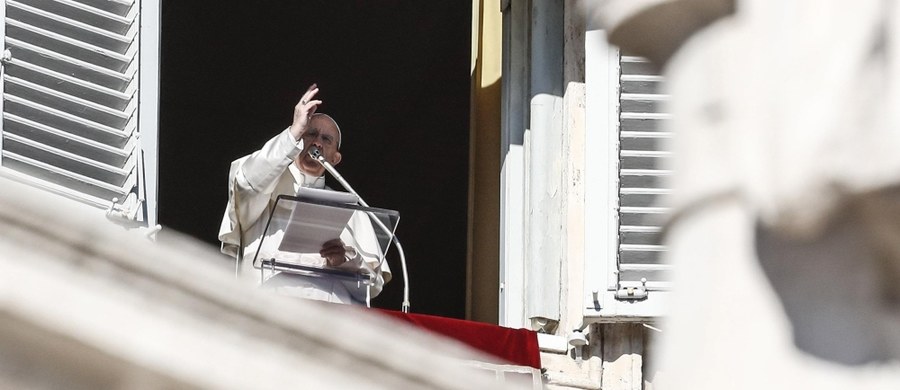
625,178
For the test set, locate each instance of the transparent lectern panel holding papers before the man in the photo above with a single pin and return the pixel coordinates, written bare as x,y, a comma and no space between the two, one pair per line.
299,226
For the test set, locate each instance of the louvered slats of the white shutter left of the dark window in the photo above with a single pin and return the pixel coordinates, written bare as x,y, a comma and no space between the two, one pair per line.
70,100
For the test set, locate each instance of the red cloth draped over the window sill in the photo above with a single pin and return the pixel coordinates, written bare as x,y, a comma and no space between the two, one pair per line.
517,346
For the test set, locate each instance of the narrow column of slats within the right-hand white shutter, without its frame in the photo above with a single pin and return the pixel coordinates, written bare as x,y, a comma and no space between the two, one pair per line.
642,177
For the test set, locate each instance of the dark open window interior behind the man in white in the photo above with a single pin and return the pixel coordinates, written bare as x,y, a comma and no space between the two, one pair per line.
394,74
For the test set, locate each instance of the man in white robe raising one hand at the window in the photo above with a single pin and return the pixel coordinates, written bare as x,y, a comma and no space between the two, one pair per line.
281,167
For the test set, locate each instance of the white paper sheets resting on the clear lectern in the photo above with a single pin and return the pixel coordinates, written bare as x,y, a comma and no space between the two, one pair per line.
311,225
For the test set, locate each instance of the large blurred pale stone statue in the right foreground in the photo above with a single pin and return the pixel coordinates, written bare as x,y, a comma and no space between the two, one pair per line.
786,231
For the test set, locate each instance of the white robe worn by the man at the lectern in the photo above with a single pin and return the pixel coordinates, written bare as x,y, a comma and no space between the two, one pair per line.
255,181
